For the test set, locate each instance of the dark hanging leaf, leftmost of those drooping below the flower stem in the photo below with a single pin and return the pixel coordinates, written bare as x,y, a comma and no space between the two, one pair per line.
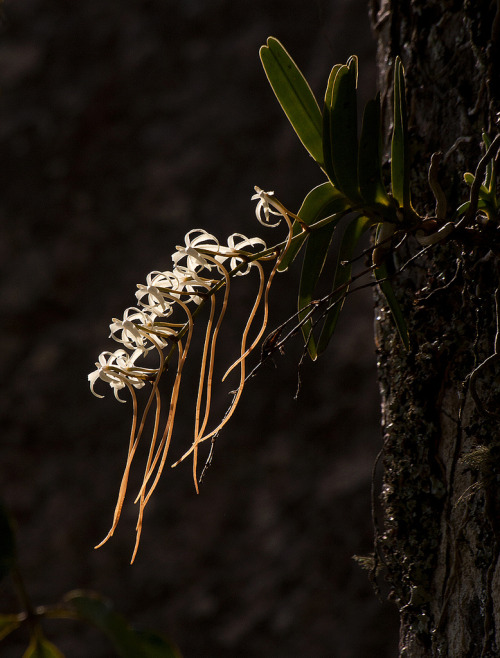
314,261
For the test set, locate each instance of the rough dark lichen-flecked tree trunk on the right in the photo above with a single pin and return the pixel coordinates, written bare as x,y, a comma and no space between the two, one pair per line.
439,540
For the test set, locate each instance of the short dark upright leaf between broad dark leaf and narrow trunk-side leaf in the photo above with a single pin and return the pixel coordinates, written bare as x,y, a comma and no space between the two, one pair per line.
370,157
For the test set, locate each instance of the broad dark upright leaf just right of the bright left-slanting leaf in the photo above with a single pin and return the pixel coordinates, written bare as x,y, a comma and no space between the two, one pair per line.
340,129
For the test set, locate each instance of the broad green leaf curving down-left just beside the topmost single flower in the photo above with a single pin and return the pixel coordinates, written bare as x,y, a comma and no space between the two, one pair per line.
320,202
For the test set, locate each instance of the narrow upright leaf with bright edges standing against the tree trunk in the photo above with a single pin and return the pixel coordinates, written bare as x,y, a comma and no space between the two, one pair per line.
400,161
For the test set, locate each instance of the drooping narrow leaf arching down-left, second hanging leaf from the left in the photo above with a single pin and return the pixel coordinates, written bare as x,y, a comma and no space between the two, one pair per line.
350,239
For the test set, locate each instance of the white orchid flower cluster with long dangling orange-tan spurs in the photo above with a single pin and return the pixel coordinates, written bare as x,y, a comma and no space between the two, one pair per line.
163,323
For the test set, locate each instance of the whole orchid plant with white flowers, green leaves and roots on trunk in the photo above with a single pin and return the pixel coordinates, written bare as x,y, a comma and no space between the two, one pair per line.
169,302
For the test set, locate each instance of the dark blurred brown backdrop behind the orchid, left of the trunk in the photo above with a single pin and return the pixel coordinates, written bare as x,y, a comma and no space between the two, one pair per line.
123,125
